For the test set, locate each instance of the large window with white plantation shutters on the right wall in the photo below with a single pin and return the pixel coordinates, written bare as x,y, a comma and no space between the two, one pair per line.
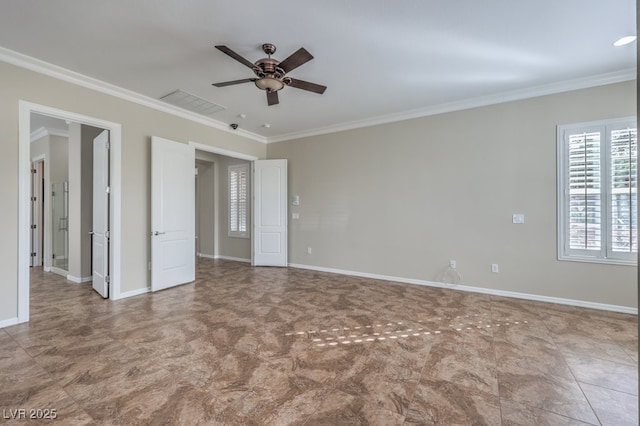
597,191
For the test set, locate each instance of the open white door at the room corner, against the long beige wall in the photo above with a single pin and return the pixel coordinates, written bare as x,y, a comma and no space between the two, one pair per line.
269,236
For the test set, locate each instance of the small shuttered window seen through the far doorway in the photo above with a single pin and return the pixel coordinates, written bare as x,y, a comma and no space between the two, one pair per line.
238,201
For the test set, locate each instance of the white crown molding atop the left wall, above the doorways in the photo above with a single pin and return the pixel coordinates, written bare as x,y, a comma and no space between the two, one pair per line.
60,73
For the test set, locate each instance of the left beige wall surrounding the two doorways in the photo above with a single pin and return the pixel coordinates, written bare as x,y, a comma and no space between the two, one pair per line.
138,125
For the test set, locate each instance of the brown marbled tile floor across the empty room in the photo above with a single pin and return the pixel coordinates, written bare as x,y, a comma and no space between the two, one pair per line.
281,346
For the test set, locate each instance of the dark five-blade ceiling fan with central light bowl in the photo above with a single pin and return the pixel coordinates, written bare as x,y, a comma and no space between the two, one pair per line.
271,75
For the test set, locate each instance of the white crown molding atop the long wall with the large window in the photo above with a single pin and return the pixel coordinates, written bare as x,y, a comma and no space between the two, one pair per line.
498,98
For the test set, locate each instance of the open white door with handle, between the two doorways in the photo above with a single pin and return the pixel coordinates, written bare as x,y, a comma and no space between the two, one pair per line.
173,260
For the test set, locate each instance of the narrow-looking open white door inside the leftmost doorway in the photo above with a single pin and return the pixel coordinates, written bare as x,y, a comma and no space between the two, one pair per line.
100,239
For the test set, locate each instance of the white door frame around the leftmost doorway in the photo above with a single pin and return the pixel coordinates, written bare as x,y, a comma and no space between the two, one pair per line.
24,183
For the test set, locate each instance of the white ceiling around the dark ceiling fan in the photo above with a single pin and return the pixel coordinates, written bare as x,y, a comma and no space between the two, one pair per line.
380,60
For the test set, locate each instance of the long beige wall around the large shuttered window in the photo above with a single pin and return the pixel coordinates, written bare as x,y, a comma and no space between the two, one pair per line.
402,199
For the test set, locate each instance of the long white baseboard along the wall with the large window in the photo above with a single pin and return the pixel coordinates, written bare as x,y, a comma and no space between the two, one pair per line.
513,294
